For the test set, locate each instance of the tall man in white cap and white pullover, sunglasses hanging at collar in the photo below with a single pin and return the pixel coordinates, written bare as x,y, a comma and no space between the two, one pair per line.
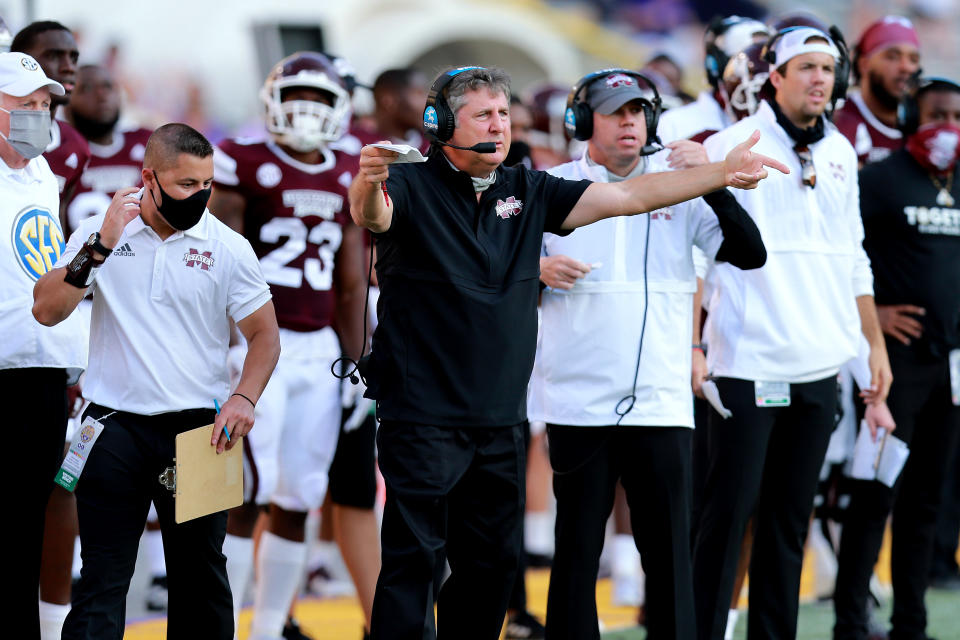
778,336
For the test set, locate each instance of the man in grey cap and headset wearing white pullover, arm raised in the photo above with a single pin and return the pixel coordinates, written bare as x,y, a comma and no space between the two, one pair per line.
582,371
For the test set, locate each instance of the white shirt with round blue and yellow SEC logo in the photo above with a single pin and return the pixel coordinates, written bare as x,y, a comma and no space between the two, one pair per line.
31,242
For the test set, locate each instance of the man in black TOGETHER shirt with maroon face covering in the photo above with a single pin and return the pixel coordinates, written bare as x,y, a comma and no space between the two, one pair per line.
912,226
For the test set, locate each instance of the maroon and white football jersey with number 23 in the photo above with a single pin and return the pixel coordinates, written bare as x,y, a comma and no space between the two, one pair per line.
294,218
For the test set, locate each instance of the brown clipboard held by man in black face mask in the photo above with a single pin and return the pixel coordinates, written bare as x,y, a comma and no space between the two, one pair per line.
205,482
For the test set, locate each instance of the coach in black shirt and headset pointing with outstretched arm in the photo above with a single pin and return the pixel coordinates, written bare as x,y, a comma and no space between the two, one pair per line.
458,240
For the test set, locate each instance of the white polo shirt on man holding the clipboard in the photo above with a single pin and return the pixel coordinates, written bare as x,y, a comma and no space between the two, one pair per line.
159,331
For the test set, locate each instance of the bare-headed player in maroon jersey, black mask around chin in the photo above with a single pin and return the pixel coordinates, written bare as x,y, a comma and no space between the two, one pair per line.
115,153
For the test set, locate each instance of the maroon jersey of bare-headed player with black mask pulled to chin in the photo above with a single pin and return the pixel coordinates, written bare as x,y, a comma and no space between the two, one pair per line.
111,167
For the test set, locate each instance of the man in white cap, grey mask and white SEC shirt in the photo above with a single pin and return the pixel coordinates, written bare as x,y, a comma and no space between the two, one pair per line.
36,362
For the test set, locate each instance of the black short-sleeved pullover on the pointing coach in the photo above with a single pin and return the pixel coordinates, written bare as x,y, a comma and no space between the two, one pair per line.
458,292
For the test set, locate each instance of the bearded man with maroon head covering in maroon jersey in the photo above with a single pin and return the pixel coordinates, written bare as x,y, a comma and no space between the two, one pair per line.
884,60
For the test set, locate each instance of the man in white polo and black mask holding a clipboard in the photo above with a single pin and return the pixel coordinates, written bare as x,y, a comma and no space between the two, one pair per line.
159,335
